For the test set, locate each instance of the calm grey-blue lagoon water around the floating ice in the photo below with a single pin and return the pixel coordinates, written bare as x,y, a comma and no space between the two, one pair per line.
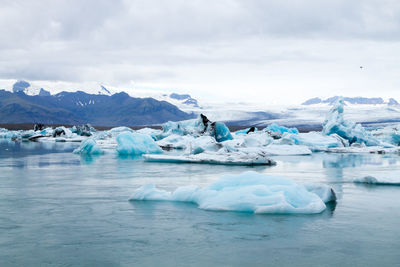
61,209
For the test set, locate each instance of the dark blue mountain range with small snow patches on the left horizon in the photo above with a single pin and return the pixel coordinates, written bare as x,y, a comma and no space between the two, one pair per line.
80,107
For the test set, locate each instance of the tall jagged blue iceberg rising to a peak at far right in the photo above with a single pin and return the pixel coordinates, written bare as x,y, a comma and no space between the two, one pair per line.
353,132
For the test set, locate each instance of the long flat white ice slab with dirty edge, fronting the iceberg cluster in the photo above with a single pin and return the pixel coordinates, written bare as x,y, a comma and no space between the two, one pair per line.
227,158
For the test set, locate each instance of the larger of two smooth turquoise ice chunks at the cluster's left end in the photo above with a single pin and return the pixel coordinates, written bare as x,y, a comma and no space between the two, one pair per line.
136,144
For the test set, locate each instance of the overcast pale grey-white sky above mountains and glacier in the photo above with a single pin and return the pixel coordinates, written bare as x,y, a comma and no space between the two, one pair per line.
257,51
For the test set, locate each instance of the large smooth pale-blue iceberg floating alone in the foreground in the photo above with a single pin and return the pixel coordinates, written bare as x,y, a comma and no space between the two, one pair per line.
247,192
